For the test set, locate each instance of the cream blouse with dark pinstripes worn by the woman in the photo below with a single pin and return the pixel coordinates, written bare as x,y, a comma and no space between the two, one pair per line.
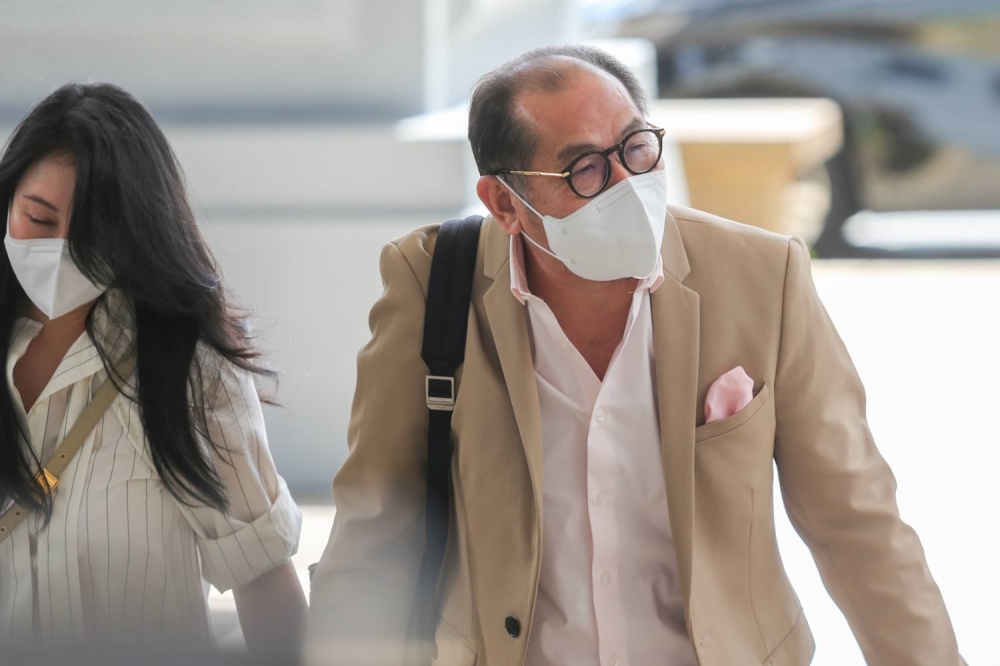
122,561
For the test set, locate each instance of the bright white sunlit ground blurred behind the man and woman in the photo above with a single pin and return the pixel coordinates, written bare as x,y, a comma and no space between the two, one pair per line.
924,338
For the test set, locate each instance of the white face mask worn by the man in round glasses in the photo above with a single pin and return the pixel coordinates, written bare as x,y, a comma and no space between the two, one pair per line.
616,235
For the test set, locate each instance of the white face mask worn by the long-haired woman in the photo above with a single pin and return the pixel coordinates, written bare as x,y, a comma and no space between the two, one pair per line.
48,274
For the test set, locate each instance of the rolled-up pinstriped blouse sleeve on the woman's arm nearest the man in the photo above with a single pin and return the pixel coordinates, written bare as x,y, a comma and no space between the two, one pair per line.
261,529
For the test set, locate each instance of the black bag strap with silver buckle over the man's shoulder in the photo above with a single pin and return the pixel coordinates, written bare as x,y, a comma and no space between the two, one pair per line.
446,321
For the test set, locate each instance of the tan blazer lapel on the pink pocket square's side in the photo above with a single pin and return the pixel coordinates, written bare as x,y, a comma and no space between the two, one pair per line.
676,329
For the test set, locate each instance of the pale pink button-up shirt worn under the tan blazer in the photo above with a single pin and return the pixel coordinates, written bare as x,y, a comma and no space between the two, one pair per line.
609,593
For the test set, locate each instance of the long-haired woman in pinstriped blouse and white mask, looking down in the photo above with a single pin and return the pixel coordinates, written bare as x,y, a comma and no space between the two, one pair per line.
104,265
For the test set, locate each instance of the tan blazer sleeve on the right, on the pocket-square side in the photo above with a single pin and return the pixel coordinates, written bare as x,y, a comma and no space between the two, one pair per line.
841,495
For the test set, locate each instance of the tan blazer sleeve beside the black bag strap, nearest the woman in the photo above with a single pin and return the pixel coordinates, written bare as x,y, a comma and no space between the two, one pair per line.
364,586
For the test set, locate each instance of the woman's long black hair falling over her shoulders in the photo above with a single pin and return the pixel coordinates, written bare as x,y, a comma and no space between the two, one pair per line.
131,228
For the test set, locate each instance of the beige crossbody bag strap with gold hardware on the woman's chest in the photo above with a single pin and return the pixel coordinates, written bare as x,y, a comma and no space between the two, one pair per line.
48,477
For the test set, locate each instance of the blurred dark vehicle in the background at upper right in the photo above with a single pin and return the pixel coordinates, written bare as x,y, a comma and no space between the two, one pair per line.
918,82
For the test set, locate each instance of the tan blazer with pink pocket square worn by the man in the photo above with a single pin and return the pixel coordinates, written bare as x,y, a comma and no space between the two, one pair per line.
733,295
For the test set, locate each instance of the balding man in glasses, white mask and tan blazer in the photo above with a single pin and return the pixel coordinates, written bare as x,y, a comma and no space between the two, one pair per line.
632,374
